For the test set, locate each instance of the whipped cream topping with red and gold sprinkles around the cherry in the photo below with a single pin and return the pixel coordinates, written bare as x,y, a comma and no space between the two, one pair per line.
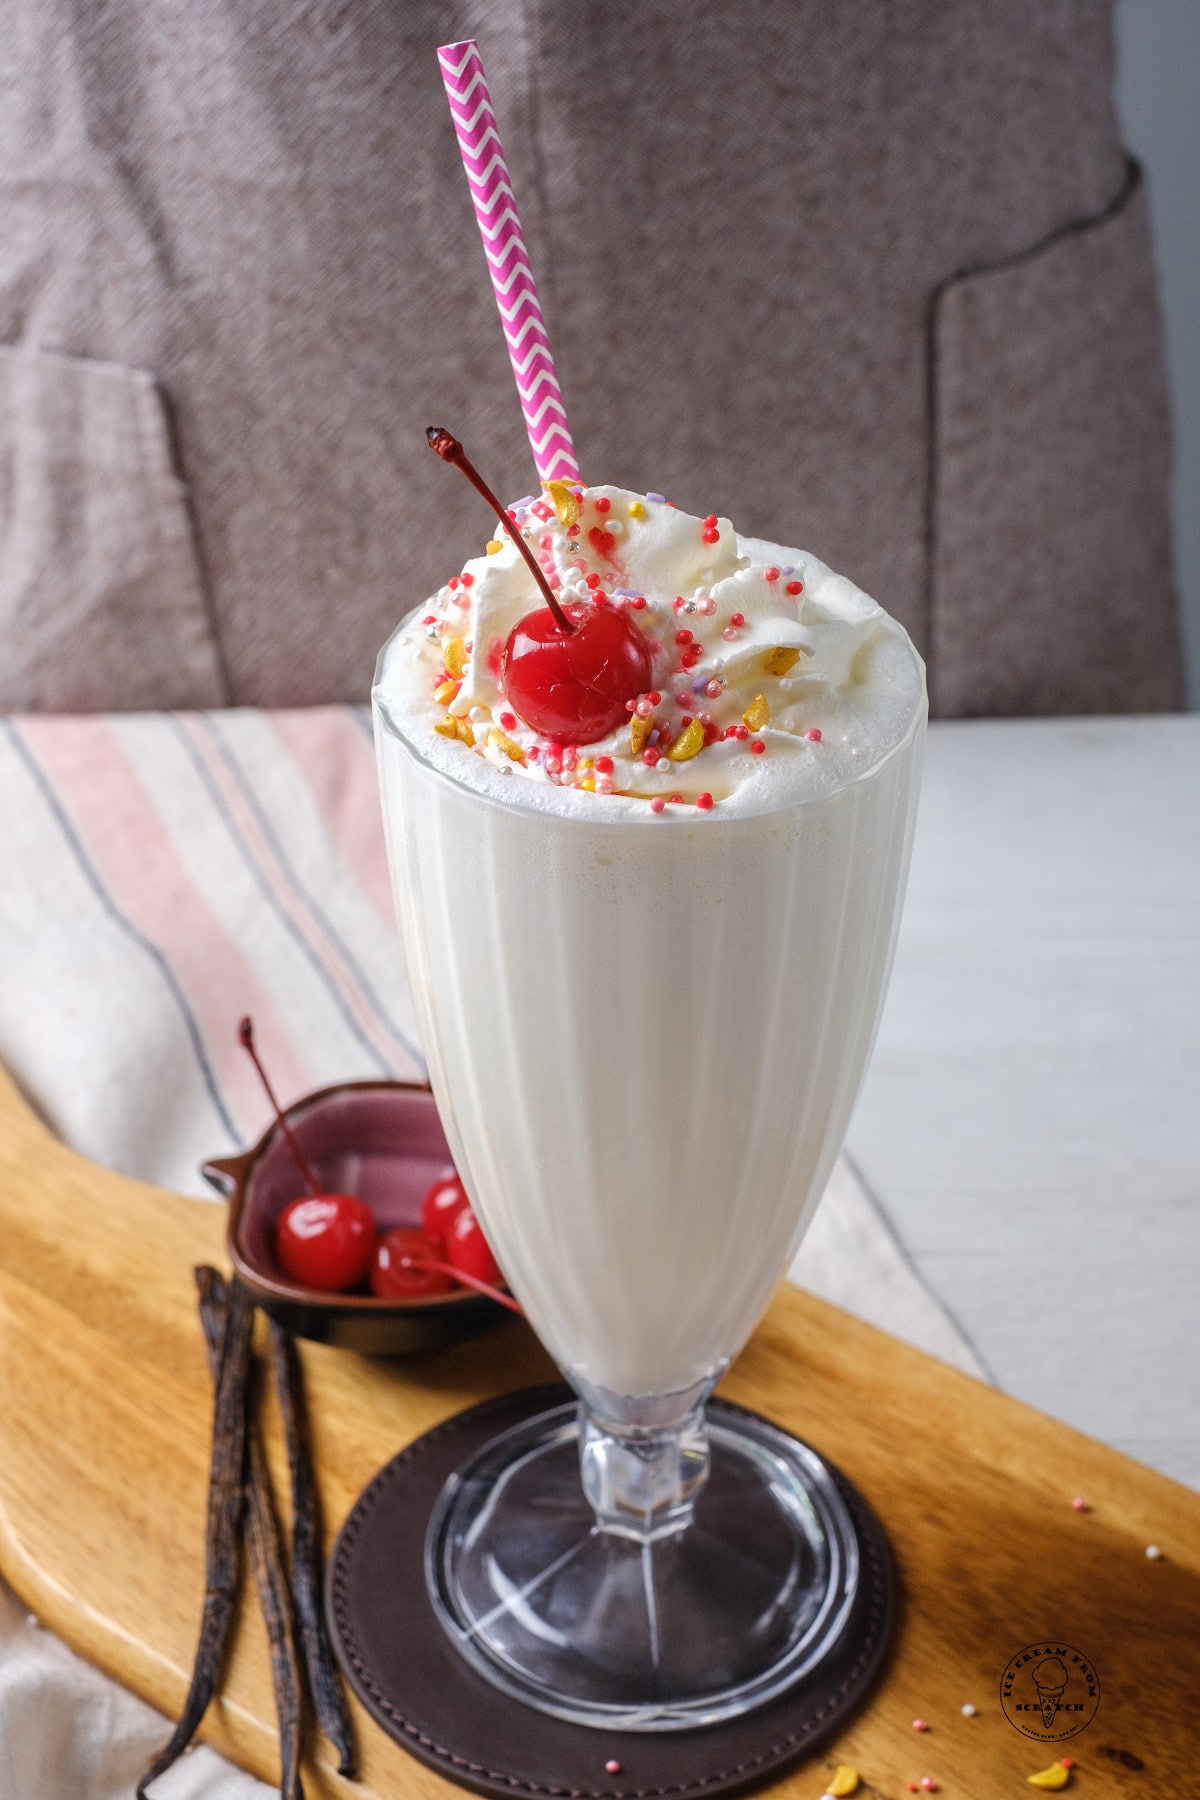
773,676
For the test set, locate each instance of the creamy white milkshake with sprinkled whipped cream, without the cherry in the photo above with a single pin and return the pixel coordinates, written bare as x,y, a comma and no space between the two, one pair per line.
650,967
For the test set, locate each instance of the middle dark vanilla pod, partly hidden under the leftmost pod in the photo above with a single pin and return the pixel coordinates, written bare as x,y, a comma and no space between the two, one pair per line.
265,1556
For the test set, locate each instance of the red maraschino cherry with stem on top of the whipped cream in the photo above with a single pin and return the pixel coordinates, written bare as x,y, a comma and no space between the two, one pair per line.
569,672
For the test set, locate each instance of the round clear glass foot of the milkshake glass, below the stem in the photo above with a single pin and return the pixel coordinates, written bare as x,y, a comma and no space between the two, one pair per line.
656,1633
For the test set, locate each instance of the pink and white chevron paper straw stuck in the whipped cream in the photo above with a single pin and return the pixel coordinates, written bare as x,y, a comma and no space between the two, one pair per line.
508,262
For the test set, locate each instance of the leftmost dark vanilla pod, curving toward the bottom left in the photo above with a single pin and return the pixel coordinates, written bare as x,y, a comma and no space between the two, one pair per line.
222,1536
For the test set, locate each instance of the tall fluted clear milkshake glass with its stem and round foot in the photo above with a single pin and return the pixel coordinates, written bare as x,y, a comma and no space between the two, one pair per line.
645,1036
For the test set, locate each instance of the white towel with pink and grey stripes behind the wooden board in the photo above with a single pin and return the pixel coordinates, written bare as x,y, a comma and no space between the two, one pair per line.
166,874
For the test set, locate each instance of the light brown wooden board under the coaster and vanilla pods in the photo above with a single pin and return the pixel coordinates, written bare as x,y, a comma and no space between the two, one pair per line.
105,1414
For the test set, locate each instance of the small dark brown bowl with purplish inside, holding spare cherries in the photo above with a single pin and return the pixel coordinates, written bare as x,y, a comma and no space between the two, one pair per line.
384,1142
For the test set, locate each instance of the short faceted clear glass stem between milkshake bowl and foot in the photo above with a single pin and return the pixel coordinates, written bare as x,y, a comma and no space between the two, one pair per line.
643,1480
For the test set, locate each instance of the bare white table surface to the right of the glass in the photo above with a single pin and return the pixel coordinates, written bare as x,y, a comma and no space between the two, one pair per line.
1032,1117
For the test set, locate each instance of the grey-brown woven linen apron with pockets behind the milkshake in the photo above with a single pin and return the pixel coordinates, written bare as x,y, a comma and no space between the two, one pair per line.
868,278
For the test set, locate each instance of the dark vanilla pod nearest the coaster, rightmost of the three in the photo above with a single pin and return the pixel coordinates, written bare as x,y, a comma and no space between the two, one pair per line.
307,1556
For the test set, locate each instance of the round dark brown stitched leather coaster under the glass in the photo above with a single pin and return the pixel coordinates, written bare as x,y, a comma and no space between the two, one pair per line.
425,1696
